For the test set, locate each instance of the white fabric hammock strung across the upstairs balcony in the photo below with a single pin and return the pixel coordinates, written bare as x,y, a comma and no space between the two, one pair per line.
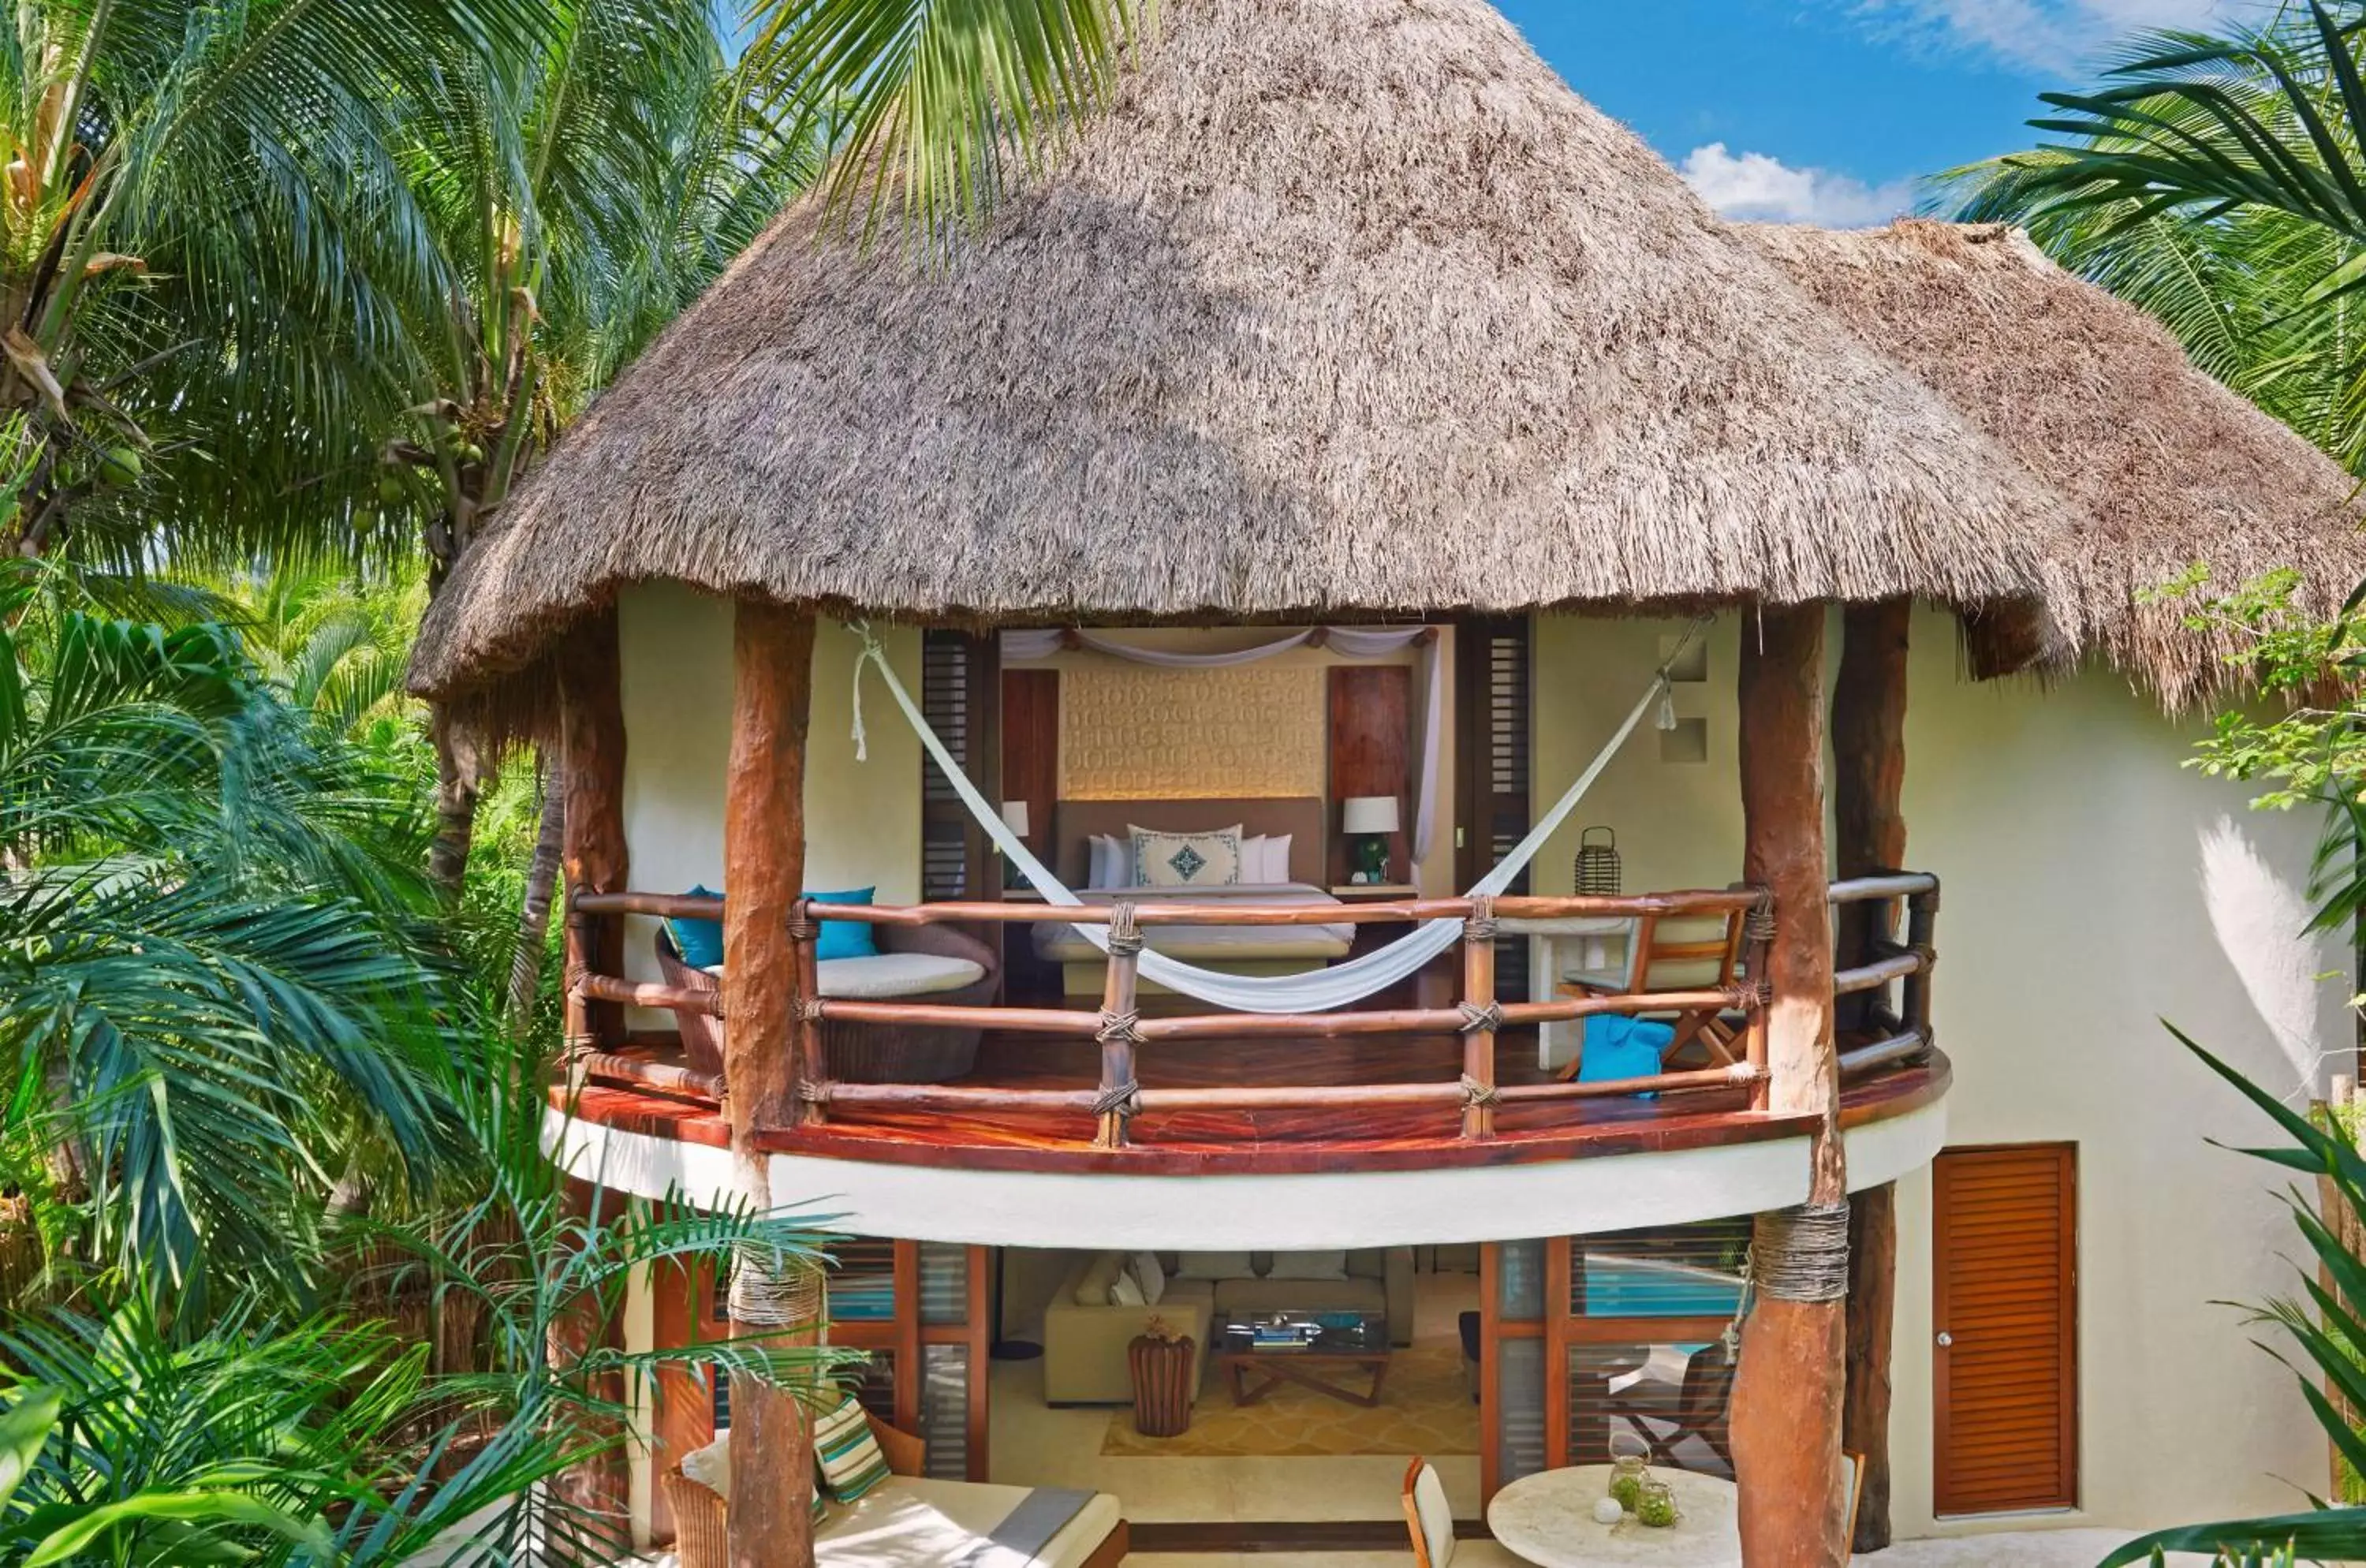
1319,990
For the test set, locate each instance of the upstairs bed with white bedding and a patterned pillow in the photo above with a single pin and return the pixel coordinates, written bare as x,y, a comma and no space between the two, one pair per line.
1236,950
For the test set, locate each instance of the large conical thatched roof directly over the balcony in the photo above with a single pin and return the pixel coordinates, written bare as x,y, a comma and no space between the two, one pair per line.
1345,306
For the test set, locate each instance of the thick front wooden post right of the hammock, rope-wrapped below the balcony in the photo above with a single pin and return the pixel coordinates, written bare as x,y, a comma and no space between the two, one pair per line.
1788,1392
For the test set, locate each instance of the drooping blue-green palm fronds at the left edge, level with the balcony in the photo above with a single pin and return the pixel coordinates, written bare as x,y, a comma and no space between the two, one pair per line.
214,971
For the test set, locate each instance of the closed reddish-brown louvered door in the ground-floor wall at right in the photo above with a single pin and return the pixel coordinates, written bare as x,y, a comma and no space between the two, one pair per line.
2005,1328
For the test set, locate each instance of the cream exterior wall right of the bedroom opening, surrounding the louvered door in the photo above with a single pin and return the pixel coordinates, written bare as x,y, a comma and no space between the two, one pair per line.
2093,886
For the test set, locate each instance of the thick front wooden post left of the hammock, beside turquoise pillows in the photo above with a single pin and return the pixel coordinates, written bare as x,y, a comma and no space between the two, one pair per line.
772,675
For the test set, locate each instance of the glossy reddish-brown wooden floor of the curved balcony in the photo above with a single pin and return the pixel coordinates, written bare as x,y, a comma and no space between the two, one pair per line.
1267,1141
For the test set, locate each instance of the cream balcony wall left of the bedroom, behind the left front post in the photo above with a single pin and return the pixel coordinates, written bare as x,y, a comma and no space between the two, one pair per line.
862,819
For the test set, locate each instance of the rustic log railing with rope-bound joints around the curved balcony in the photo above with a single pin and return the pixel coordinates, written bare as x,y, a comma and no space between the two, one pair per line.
1123,1032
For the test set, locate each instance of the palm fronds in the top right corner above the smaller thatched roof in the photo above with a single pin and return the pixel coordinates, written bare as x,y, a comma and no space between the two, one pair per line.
2220,183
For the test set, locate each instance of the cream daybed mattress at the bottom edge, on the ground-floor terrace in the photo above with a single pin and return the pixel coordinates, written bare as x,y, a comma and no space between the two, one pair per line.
931,1524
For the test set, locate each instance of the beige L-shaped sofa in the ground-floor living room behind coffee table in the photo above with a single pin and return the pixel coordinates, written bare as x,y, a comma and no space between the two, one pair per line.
1085,1335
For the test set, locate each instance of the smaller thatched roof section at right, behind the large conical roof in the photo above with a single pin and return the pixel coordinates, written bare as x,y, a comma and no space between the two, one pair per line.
2100,401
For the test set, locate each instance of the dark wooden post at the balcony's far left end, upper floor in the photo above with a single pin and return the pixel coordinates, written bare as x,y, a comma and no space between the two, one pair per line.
593,853
